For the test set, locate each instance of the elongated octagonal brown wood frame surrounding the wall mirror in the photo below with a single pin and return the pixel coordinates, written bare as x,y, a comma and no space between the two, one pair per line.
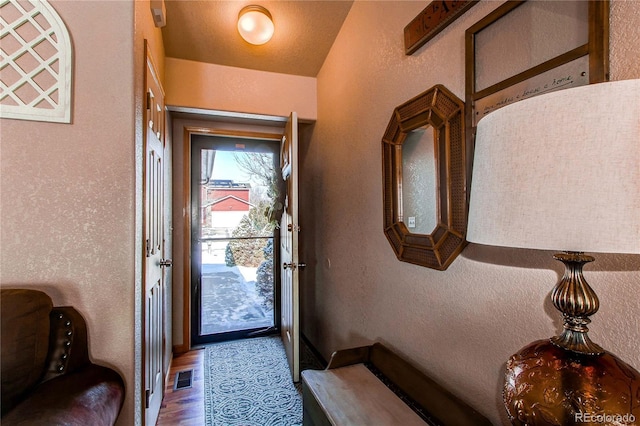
444,111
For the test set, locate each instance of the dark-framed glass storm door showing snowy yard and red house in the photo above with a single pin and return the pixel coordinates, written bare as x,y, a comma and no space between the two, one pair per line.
234,192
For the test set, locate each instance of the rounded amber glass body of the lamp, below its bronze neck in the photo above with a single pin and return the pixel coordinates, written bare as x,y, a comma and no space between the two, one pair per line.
549,385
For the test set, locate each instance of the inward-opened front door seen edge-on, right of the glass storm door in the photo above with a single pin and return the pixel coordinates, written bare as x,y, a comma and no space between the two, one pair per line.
290,264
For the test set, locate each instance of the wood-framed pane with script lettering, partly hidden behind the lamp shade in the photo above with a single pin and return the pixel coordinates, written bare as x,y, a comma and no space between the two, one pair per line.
527,48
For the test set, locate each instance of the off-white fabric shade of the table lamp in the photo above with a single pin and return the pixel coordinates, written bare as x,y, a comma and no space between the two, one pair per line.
560,171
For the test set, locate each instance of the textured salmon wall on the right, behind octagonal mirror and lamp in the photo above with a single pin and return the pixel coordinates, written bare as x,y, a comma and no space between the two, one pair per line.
460,325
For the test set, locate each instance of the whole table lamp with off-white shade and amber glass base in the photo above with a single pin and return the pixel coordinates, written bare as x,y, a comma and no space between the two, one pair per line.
561,171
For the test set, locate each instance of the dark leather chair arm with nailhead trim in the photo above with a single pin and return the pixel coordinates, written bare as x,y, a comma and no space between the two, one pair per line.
68,347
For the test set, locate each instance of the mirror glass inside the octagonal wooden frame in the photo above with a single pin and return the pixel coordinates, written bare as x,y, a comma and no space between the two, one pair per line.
419,181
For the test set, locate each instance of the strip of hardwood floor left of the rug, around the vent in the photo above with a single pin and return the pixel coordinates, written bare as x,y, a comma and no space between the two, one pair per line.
184,407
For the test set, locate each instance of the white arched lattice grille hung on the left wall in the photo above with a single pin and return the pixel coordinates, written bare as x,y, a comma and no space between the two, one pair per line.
35,66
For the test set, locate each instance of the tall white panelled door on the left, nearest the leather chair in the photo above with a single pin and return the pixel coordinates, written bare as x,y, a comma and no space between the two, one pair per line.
155,263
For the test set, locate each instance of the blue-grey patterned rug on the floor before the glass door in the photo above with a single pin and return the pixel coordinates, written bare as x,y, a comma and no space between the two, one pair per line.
247,382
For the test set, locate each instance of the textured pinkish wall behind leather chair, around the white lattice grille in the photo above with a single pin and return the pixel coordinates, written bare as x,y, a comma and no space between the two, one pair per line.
68,190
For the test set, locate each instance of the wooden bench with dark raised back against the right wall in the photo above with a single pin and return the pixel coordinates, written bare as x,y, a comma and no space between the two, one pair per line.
371,385
